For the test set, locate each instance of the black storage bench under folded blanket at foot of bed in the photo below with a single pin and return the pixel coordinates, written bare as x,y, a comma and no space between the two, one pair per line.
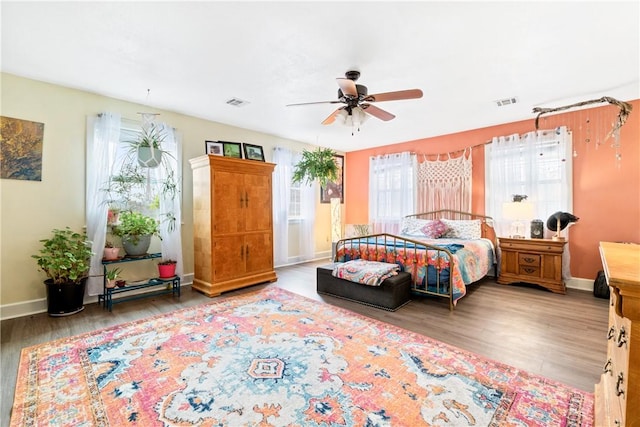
392,294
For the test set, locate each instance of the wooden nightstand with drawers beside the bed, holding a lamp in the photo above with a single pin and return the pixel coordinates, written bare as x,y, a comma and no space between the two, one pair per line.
536,261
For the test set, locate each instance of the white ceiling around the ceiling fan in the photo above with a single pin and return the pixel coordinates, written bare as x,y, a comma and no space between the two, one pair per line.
194,56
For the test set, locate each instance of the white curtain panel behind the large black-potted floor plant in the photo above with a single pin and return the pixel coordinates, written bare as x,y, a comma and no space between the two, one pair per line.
103,136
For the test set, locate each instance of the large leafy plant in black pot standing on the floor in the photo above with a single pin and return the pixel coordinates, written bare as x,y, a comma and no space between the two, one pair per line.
65,258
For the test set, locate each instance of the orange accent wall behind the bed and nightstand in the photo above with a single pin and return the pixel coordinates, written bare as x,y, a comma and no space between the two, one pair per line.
606,193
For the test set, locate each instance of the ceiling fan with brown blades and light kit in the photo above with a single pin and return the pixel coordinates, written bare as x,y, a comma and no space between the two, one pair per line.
355,98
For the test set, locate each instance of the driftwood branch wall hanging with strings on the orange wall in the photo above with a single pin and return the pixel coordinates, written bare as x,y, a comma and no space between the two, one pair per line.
594,127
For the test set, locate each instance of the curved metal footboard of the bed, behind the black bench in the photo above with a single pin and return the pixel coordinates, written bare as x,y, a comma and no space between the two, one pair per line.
430,266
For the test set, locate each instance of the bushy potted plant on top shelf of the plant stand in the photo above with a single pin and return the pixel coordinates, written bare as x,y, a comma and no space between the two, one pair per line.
135,229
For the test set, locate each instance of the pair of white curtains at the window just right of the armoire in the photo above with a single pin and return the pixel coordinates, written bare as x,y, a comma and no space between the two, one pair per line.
285,161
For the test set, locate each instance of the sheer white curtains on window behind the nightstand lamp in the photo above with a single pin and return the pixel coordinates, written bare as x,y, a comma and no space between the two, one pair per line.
537,164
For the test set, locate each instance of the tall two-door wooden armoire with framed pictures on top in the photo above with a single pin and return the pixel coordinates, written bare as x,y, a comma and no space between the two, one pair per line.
232,223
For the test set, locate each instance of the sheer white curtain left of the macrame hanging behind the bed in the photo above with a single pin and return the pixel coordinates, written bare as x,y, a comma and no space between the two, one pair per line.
392,190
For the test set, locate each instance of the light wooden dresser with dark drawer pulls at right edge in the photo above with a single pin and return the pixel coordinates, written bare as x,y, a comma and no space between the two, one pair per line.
617,394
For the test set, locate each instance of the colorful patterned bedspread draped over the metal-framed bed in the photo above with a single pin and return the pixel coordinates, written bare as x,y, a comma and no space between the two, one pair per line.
430,269
